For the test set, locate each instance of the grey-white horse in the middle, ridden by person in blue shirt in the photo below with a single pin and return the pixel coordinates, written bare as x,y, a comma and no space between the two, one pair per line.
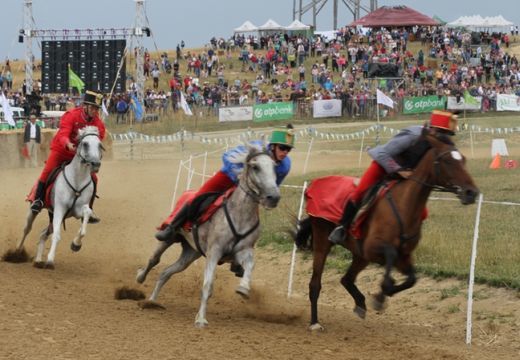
229,236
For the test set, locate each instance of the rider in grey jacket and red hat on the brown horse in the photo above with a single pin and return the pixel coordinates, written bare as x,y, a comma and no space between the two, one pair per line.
400,154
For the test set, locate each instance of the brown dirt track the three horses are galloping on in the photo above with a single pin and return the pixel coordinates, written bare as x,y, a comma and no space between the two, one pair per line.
70,313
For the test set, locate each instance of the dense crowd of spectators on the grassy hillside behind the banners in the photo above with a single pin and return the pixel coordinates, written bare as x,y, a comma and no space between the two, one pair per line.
301,69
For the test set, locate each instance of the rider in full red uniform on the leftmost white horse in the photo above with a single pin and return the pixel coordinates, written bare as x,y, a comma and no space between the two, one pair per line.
63,145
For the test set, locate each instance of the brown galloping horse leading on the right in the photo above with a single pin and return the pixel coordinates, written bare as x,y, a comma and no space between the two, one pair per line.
392,229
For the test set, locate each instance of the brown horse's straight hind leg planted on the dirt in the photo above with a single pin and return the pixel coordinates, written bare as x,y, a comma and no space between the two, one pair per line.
322,248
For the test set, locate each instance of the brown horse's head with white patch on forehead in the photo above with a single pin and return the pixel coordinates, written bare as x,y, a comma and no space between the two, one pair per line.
449,169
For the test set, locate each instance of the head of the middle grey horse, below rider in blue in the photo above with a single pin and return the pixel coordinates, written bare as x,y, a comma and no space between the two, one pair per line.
259,176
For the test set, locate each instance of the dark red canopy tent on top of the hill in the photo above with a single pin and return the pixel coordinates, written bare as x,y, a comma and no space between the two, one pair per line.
394,16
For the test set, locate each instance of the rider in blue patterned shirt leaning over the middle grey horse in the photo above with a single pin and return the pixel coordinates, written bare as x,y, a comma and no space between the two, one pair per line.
280,144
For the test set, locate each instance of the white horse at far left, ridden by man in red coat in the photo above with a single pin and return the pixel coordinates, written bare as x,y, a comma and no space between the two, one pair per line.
70,196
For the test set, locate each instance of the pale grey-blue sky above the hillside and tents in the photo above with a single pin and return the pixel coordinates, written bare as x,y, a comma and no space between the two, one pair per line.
196,21
